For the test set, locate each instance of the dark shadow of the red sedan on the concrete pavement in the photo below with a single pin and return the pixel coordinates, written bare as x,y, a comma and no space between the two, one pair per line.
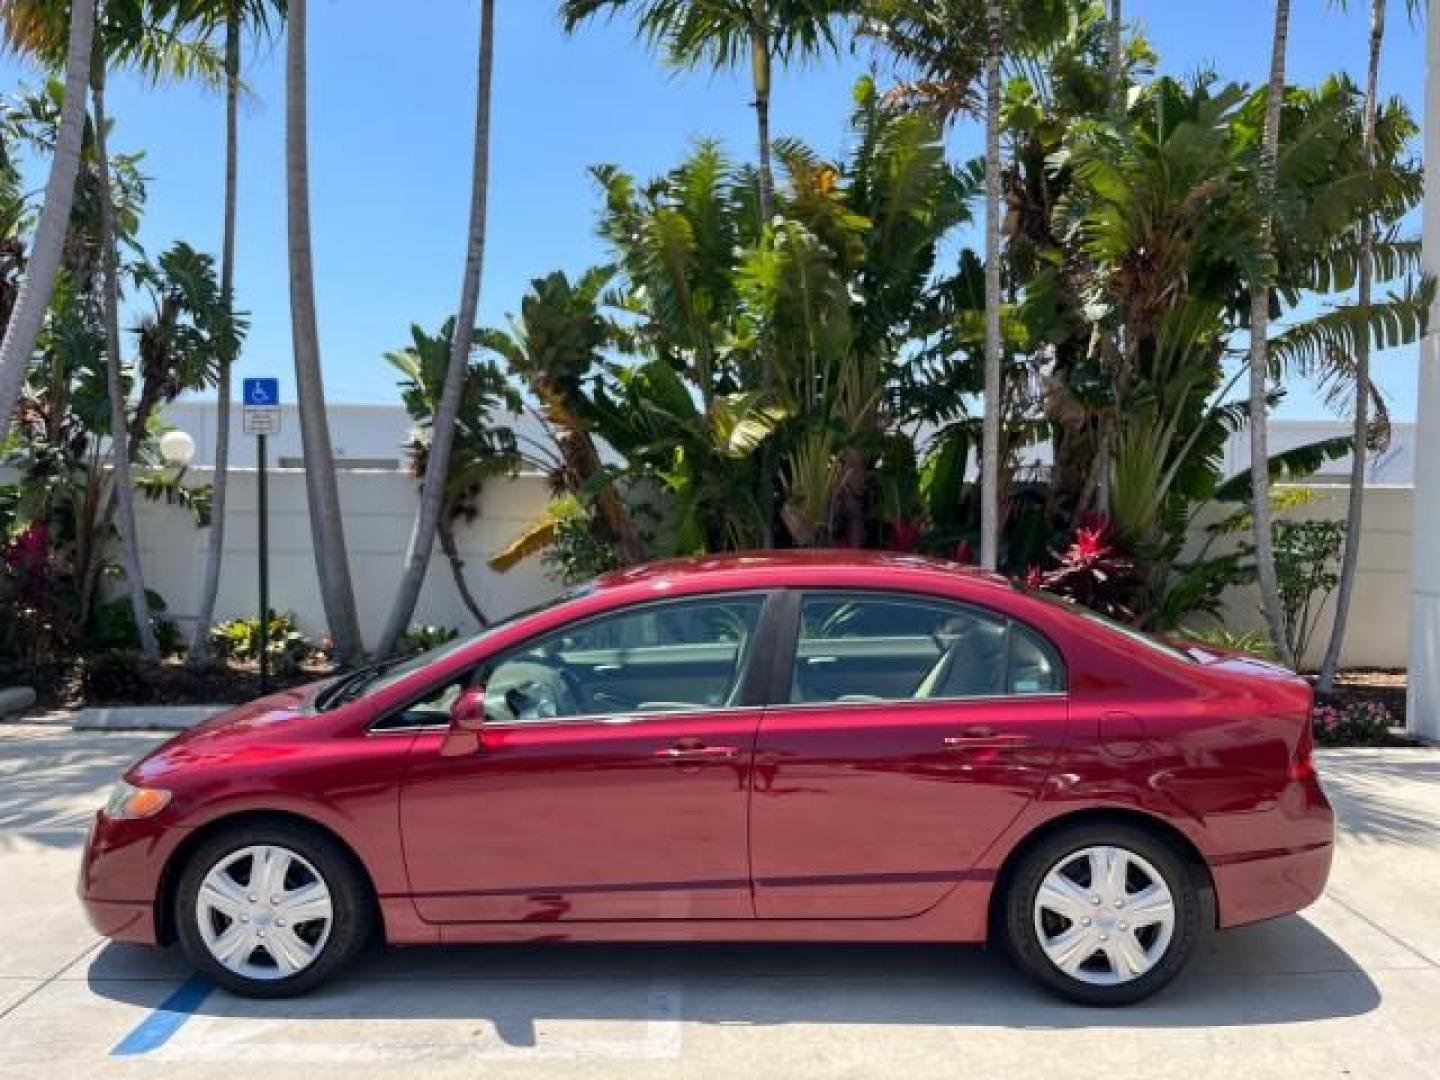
1279,973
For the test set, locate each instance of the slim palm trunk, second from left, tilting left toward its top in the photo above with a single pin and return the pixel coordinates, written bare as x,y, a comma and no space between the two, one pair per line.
125,495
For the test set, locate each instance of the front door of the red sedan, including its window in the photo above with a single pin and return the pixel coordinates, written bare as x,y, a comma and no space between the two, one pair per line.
613,775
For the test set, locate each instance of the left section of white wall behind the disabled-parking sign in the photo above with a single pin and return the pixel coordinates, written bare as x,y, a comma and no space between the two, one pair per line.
379,512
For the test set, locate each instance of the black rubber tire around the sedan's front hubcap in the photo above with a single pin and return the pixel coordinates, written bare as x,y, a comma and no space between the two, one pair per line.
354,918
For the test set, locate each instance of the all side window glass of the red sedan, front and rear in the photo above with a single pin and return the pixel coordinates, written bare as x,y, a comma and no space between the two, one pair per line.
692,654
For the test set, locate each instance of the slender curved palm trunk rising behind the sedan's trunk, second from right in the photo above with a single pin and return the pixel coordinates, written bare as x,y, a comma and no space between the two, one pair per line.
1259,348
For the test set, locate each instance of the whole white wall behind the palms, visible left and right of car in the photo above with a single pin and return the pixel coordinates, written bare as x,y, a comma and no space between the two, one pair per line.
379,510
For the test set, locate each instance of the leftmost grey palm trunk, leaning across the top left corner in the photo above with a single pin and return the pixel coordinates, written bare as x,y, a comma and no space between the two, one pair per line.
34,297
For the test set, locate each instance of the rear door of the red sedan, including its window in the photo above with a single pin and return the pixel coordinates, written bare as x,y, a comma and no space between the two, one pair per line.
915,732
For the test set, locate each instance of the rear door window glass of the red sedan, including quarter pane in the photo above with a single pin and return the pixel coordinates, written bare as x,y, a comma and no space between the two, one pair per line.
896,649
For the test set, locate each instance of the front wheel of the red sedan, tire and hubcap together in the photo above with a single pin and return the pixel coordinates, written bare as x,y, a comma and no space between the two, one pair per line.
271,909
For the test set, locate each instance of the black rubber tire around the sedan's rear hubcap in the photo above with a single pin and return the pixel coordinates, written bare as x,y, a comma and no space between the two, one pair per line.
1035,865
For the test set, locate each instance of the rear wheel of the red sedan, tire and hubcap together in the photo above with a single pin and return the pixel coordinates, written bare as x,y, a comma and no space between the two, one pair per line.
1104,915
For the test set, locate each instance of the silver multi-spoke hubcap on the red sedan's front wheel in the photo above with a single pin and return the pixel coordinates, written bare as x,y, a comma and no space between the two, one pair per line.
264,912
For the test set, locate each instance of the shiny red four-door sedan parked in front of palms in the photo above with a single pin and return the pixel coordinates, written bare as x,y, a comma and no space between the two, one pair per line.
820,747
